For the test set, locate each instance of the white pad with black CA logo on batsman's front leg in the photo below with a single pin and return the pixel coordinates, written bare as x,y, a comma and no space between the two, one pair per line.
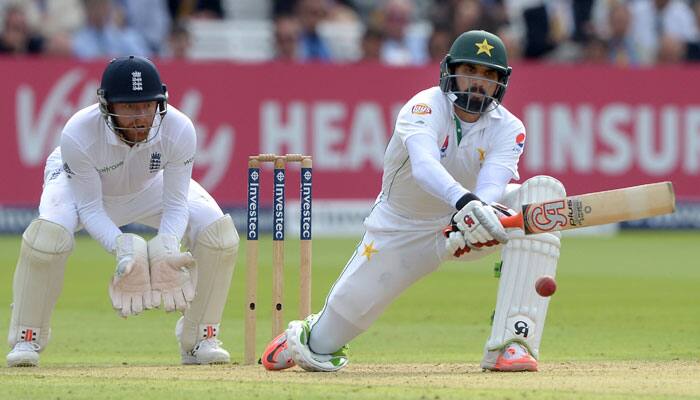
520,311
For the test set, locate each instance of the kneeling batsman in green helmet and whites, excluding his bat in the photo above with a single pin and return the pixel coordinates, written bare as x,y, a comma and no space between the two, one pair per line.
447,170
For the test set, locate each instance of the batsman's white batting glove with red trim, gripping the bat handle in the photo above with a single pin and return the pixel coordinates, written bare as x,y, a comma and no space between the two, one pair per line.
480,225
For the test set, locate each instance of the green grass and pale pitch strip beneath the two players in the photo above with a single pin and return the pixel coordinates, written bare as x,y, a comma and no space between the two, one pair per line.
620,301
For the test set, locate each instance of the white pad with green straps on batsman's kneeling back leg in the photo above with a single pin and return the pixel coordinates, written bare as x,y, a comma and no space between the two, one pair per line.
298,333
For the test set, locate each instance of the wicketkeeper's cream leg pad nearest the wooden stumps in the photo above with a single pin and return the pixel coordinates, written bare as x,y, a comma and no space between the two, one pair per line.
215,252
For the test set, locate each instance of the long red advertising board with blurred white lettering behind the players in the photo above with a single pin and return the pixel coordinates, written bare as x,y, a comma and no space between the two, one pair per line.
594,128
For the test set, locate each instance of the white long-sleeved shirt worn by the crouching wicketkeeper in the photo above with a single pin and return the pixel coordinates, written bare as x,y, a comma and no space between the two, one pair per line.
102,168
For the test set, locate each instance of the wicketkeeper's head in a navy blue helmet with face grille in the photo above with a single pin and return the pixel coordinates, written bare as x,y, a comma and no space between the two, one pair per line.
132,99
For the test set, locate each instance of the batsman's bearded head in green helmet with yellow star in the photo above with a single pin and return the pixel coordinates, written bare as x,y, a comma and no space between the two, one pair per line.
474,74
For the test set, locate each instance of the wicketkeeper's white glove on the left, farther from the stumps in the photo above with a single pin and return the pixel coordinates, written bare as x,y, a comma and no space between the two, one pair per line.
130,288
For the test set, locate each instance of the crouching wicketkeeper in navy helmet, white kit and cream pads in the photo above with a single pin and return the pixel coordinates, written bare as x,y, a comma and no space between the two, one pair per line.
128,158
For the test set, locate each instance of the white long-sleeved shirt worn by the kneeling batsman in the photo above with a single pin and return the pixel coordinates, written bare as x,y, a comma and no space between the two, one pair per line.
496,139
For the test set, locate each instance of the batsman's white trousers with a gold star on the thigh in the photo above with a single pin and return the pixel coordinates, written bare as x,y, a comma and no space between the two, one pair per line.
394,253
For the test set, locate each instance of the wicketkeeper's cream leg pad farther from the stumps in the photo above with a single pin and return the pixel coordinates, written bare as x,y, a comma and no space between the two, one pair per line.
38,281
